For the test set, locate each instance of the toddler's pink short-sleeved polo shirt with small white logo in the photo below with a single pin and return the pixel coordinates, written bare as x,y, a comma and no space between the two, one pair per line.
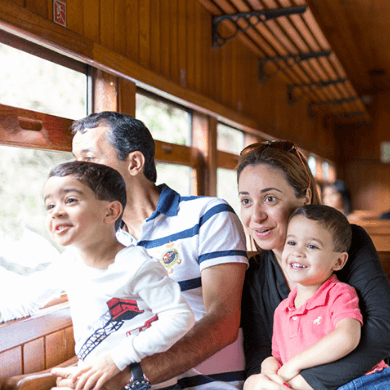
298,329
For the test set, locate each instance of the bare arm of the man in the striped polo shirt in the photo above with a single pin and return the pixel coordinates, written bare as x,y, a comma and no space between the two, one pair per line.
222,289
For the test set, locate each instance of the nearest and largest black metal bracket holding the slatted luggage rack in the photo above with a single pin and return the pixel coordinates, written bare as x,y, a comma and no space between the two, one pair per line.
252,19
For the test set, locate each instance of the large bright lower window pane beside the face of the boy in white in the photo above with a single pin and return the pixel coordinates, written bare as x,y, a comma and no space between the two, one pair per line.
25,245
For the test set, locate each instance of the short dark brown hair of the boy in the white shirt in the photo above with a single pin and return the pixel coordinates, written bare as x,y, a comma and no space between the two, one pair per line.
106,182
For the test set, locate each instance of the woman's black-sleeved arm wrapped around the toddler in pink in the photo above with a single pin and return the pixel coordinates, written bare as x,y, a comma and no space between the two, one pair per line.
364,272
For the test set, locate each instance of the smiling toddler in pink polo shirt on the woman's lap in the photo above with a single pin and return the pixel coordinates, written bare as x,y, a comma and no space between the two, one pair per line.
320,320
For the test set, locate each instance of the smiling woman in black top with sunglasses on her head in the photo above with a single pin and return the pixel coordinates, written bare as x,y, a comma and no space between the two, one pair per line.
273,180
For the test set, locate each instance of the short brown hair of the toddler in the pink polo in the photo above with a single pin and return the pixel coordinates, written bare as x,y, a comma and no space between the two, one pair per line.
332,220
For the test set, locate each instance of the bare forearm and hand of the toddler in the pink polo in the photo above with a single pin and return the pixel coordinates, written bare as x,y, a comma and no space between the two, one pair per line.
335,345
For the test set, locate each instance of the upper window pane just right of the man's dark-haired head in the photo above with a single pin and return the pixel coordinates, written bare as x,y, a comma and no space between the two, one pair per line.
166,121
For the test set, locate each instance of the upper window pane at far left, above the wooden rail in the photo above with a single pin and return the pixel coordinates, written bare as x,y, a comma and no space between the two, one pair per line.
34,83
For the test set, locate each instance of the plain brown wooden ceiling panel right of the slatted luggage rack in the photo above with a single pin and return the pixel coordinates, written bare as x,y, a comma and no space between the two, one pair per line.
358,31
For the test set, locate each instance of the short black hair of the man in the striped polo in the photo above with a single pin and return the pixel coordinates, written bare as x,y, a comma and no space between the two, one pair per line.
126,134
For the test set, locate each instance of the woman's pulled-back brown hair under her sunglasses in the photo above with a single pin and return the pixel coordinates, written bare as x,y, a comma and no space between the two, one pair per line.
297,175
